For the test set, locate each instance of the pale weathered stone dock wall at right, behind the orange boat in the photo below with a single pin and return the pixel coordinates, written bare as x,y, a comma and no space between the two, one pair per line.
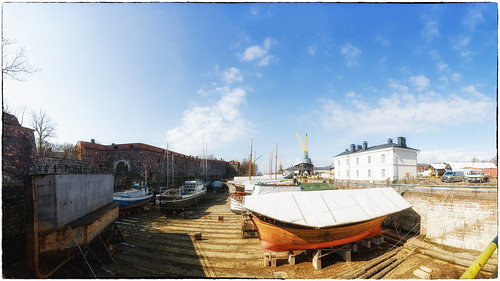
462,218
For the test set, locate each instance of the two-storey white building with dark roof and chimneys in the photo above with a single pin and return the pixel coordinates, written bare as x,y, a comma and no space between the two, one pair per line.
393,161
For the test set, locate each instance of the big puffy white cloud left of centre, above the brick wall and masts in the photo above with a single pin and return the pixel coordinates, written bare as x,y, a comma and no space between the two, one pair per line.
223,118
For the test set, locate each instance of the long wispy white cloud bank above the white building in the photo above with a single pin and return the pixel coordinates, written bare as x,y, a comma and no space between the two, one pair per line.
405,112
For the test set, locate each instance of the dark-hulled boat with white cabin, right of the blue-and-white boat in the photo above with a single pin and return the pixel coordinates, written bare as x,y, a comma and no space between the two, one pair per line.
188,195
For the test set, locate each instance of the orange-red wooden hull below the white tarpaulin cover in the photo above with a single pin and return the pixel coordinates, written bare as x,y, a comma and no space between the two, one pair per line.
285,237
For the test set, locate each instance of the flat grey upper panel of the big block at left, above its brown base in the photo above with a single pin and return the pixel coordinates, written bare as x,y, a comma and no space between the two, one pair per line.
61,199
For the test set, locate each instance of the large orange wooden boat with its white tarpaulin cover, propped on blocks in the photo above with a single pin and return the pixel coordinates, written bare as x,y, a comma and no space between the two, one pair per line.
318,219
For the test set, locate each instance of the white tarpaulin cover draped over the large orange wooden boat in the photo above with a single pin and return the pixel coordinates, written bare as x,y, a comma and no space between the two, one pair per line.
327,207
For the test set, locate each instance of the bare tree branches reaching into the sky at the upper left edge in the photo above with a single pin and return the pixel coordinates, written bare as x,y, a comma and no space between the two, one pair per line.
15,63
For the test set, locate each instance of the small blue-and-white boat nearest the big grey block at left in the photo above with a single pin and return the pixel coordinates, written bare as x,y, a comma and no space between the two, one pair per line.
135,197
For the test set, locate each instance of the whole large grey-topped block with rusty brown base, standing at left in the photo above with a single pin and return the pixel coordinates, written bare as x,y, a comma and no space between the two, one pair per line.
65,215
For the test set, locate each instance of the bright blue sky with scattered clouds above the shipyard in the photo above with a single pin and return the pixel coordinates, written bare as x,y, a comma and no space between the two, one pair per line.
226,73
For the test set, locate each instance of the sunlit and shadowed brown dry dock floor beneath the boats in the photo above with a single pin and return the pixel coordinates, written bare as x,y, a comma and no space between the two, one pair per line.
160,246
